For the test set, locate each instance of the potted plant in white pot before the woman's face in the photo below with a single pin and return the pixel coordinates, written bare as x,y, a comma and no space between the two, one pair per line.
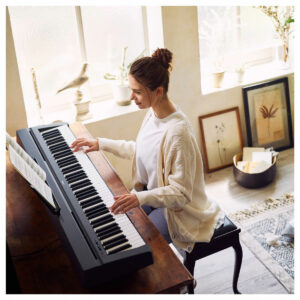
120,87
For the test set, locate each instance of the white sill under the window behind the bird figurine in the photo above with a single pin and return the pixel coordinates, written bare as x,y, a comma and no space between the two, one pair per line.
99,111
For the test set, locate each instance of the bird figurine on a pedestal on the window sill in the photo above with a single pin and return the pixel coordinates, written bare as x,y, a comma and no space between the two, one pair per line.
82,106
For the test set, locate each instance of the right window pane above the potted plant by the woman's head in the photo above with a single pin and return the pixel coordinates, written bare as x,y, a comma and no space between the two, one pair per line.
106,31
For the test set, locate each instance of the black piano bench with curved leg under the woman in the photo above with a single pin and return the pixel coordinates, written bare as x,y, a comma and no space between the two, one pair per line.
224,237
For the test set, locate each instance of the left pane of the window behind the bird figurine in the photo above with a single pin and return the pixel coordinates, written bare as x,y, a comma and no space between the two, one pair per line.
45,39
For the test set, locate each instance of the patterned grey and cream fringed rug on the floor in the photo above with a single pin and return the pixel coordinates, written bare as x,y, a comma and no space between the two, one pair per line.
264,227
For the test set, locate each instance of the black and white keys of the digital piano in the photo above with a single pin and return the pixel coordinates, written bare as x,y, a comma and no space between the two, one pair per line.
115,232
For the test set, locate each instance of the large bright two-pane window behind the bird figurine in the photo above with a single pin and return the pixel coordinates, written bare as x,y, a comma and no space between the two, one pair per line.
56,40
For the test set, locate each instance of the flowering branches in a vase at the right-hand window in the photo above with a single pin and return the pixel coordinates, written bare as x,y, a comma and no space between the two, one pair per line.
282,17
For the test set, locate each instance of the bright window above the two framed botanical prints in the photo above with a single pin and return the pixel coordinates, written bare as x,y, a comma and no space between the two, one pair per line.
232,37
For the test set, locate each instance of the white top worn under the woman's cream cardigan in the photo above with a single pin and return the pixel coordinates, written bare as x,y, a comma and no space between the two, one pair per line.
147,148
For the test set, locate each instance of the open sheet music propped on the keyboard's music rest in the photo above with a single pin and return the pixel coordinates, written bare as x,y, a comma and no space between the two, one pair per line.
29,169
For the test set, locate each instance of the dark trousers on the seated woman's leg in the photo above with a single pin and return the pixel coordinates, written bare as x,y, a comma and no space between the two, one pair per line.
157,217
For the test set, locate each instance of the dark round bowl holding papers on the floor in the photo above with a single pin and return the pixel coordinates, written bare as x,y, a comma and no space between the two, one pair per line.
256,180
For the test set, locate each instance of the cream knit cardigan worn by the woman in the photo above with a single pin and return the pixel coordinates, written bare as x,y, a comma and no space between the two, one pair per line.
190,215
